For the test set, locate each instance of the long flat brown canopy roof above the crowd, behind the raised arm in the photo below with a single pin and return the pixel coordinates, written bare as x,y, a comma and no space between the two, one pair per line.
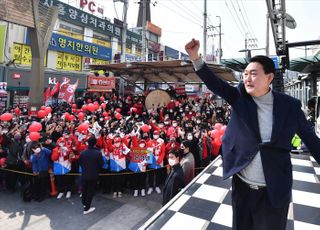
163,71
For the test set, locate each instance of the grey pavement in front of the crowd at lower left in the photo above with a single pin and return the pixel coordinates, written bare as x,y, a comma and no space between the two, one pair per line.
111,213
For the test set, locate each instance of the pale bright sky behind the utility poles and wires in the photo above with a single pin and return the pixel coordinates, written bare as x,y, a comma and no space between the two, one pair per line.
182,20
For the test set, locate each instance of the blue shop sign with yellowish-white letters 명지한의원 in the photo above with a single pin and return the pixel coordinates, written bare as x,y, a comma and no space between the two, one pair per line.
66,44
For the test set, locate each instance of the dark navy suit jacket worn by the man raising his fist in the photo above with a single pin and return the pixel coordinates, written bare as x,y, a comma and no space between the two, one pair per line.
242,138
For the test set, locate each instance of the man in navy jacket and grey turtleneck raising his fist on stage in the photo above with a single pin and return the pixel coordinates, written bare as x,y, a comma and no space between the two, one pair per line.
257,143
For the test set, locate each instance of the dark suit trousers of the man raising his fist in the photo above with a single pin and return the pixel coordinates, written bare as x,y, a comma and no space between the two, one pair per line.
252,209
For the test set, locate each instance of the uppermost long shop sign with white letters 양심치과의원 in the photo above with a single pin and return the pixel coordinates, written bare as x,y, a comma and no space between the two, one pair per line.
82,18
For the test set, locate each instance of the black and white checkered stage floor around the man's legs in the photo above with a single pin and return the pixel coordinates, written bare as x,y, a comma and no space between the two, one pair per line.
206,202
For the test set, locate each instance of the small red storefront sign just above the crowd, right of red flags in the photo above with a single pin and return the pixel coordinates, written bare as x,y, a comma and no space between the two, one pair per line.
101,84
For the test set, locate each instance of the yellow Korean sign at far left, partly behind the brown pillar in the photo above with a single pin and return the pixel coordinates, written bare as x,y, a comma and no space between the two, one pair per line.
22,54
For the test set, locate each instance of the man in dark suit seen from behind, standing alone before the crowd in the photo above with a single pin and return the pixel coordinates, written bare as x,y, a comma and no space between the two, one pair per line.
90,161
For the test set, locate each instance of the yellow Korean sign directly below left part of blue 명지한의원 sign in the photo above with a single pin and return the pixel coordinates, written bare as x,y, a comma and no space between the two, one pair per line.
68,61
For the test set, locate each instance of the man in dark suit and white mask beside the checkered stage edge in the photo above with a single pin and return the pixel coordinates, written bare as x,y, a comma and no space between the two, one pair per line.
175,180
